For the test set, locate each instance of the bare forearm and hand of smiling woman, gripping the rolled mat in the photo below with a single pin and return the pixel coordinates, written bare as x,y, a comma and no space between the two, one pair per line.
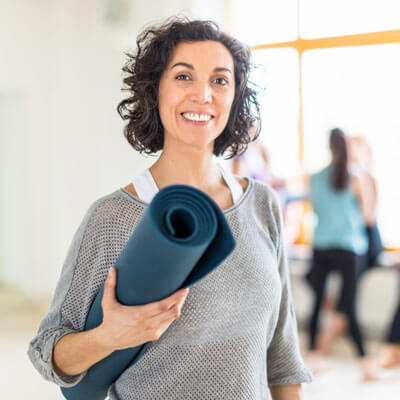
122,327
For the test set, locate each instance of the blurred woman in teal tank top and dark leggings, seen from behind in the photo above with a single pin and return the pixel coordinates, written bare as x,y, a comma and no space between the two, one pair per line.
343,203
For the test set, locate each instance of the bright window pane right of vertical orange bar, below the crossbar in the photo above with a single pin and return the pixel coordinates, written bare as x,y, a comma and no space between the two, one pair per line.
357,89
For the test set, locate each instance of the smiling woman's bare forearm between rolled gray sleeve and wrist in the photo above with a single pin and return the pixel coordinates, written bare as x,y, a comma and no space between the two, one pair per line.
76,352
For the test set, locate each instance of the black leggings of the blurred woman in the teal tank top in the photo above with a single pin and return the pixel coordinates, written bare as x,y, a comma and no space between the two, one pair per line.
346,263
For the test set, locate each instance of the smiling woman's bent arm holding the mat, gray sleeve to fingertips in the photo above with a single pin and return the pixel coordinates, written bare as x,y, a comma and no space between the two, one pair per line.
62,351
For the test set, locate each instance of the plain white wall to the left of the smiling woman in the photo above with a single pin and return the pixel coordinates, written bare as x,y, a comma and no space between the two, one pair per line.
64,60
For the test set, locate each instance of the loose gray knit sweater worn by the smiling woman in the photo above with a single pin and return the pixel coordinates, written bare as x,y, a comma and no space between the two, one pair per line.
237,331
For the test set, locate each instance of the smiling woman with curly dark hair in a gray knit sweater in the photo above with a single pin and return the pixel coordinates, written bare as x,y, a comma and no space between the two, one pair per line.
236,331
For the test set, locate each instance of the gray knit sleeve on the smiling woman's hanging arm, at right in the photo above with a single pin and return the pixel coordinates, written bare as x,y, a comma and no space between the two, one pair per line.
284,362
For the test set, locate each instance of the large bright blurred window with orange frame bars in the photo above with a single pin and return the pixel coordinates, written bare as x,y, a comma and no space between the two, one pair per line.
343,83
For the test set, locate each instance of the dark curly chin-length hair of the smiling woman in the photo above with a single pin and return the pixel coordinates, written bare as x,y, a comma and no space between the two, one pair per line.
155,47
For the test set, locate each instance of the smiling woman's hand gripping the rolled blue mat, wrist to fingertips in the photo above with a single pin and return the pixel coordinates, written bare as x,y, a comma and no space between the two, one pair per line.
130,326
